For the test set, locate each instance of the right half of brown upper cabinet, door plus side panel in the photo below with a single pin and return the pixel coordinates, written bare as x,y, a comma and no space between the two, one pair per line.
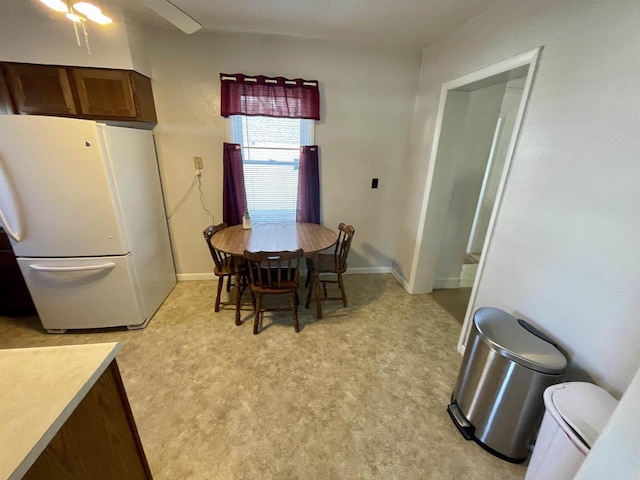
117,94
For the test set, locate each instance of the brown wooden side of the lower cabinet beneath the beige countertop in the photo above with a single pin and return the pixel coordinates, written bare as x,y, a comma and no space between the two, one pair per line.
99,441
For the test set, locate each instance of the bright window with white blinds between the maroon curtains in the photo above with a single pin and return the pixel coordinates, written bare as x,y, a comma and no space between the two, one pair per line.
270,153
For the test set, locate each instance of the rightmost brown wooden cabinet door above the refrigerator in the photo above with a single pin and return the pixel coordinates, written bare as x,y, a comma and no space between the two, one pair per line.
105,93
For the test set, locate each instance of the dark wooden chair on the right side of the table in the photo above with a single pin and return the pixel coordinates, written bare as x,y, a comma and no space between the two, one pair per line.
335,263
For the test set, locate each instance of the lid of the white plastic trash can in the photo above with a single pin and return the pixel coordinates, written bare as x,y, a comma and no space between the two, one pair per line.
585,407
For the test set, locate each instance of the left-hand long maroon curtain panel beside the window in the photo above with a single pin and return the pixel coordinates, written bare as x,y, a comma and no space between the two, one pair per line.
234,196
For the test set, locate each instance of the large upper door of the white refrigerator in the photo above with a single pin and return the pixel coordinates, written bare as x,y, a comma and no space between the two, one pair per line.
59,192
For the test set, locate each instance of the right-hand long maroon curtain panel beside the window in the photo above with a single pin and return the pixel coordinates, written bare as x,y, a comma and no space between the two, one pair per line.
308,208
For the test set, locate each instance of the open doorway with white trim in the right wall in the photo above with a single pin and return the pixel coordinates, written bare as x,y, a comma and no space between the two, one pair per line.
478,121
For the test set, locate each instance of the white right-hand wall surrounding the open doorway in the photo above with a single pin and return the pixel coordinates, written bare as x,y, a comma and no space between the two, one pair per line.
563,252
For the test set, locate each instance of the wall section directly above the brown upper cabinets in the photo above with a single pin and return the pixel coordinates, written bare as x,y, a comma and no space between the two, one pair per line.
30,32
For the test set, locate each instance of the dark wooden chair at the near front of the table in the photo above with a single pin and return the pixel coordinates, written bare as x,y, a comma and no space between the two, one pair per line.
274,273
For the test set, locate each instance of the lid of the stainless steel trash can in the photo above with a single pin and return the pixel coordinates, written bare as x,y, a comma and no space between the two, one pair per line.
505,335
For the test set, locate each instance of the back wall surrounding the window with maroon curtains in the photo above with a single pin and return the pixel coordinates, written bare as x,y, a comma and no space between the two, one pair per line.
367,99
